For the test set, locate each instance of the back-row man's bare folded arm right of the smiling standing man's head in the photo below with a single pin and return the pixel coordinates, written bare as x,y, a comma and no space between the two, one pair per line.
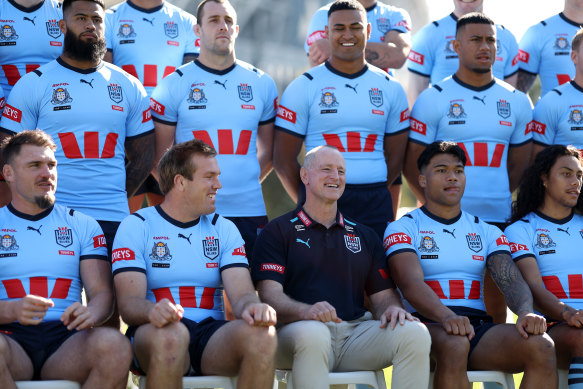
392,53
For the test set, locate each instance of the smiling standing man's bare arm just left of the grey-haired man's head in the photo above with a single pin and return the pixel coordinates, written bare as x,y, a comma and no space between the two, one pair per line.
285,161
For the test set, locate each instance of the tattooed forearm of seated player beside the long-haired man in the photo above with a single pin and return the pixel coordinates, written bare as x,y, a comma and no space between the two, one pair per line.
510,281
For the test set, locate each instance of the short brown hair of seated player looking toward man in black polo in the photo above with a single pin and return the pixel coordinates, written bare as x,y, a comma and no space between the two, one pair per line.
178,160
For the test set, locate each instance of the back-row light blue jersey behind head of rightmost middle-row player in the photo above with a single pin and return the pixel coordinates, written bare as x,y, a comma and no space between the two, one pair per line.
432,54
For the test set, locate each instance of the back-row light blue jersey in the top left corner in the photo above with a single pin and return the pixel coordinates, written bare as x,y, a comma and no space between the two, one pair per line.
29,38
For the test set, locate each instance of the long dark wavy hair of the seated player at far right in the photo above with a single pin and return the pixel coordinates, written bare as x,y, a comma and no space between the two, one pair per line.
531,191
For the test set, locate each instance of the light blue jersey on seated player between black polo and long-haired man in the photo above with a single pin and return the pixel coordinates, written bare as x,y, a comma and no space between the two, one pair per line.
453,253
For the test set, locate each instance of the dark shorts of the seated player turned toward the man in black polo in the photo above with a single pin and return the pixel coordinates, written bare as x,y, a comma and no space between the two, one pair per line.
200,334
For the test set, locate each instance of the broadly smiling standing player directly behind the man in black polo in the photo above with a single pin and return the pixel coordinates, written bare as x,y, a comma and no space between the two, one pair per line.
353,106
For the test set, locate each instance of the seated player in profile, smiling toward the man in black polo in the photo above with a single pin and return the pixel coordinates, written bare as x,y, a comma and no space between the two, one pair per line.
170,263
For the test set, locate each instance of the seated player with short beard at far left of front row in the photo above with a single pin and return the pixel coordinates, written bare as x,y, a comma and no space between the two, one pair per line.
49,252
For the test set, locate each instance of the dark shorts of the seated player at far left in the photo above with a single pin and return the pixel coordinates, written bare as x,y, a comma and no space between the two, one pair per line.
39,342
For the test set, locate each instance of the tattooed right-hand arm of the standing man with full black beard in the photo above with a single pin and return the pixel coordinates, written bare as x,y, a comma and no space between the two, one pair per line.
140,156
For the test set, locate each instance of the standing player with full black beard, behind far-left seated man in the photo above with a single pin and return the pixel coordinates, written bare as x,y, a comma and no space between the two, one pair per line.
97,114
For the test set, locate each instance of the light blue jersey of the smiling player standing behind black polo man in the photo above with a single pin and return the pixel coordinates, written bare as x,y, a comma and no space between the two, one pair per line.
352,112
